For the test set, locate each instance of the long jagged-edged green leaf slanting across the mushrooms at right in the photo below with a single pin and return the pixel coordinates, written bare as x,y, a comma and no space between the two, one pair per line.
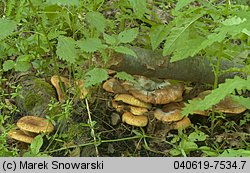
217,95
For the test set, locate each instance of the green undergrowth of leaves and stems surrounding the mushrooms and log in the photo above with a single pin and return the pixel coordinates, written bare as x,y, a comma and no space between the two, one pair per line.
77,38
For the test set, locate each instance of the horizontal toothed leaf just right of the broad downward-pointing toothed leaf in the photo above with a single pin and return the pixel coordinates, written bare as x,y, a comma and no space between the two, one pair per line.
90,45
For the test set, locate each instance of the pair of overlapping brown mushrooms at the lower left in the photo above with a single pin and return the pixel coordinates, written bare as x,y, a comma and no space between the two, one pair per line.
29,128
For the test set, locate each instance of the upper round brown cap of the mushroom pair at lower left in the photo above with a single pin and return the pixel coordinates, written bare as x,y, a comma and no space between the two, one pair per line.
35,124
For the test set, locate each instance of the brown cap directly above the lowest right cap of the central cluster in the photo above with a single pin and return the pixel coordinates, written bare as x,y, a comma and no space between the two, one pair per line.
169,113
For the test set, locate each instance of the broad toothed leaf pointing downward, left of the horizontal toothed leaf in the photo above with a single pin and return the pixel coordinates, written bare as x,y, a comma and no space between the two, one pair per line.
66,49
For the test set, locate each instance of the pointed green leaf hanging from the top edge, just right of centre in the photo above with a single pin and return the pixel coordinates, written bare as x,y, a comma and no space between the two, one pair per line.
139,7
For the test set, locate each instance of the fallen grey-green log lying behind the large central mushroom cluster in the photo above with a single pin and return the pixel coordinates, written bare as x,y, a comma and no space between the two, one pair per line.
152,64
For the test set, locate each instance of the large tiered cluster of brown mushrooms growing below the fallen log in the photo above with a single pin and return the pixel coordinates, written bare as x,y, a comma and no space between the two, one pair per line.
137,100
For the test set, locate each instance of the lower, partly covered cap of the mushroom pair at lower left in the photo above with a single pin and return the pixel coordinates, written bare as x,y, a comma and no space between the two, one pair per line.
20,136
